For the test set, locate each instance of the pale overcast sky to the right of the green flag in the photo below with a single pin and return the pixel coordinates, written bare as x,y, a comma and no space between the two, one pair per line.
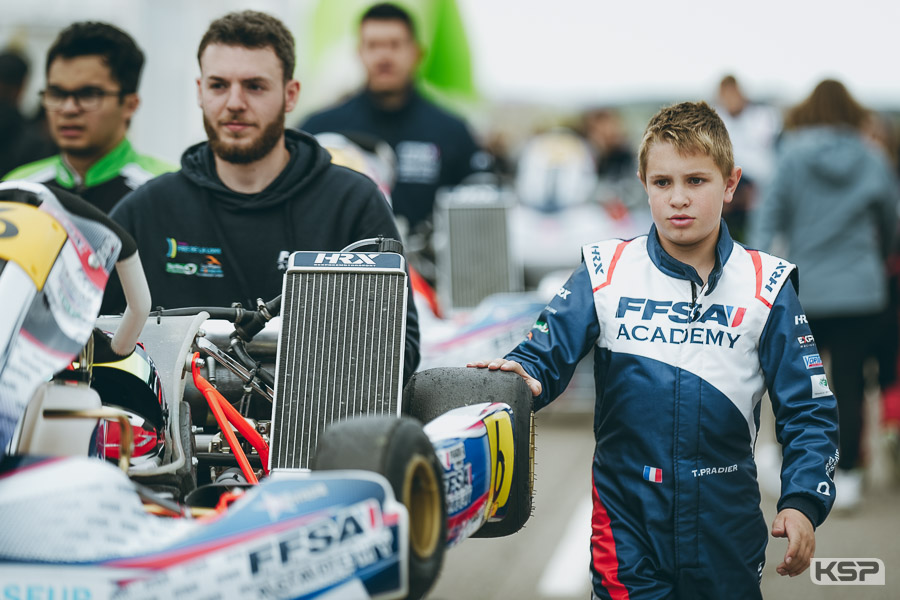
575,50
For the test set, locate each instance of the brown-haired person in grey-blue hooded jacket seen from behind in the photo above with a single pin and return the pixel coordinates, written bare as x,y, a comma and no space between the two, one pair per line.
833,201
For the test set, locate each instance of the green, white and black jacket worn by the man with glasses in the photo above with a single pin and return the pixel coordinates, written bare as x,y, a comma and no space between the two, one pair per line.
105,183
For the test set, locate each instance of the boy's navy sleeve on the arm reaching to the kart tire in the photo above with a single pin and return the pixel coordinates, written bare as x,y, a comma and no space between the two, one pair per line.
563,334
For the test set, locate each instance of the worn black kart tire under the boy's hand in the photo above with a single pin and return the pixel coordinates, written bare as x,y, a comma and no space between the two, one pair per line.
433,392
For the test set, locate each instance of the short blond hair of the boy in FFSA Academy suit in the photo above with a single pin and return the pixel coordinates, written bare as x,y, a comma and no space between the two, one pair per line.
691,127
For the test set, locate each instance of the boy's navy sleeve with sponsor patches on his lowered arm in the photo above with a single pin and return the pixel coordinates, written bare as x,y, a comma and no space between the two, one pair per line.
806,422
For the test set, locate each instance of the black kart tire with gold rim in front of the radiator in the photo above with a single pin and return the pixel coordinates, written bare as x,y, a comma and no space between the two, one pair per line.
398,449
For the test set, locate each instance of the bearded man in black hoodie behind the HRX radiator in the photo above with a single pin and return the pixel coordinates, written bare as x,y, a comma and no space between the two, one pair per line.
220,230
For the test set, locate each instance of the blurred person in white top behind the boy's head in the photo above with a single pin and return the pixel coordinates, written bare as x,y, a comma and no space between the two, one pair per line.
754,129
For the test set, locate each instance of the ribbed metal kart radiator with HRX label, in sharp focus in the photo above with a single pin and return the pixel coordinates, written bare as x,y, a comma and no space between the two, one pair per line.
340,352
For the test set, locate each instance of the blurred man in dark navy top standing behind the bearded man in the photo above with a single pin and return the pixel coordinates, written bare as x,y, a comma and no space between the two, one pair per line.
434,148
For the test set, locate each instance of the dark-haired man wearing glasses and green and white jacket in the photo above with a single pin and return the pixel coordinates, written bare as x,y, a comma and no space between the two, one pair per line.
93,70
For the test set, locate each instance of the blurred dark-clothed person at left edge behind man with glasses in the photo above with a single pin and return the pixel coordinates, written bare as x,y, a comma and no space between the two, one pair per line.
23,139
